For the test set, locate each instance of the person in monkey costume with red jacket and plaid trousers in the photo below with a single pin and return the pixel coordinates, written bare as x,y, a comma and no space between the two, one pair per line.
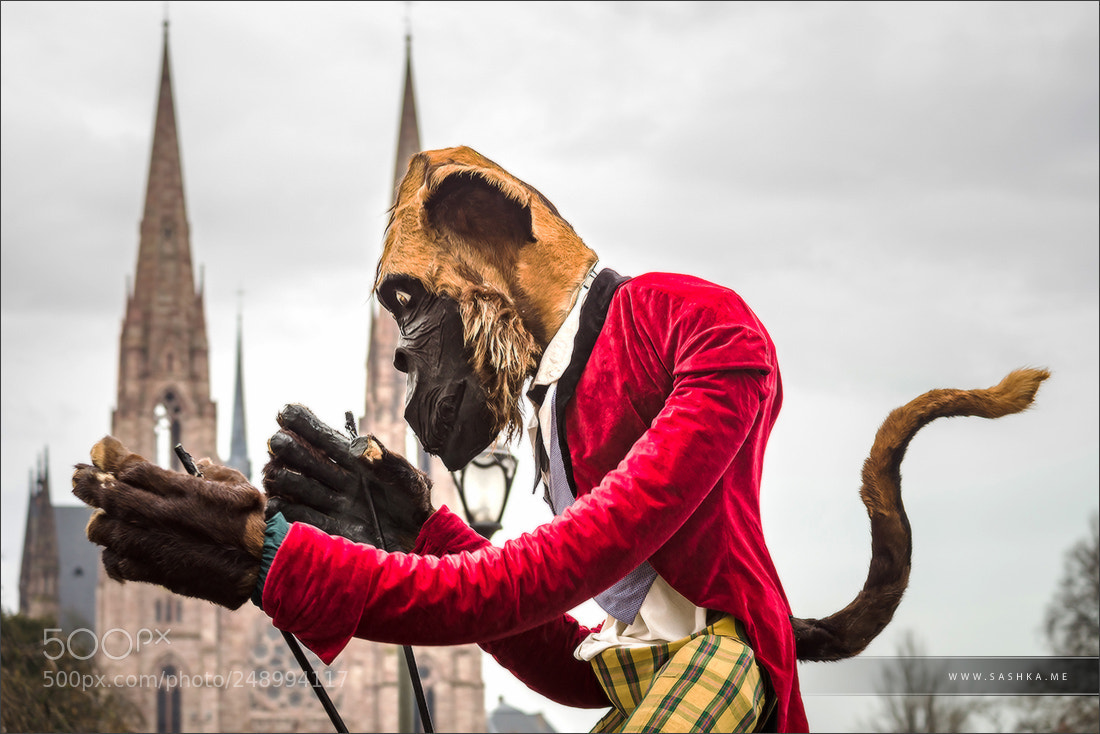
653,399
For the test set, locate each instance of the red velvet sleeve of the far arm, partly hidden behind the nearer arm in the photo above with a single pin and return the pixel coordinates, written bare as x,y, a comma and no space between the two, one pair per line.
543,658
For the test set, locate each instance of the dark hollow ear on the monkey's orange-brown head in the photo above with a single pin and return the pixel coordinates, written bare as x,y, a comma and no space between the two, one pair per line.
475,206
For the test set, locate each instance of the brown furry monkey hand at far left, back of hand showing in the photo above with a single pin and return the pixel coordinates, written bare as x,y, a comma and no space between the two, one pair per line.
197,536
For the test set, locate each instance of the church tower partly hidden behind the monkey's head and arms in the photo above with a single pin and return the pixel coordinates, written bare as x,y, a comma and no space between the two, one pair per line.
452,676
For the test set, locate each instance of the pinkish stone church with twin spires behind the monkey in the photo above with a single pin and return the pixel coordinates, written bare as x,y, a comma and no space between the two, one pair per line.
190,665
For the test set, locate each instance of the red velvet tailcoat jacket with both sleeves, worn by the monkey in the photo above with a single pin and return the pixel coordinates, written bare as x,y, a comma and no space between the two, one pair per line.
666,434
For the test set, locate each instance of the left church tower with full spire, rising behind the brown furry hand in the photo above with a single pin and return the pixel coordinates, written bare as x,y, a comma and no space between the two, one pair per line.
163,400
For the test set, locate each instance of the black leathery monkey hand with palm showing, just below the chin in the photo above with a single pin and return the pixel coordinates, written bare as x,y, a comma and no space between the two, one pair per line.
321,477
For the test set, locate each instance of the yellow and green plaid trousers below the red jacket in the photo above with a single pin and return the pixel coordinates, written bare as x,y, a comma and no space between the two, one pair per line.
707,683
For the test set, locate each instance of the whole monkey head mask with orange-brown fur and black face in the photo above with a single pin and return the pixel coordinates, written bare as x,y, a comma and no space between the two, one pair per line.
475,240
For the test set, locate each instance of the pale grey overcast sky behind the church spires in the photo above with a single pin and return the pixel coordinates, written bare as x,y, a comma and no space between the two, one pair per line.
906,194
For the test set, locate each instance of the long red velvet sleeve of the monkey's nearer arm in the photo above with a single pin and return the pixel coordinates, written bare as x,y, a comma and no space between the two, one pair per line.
327,590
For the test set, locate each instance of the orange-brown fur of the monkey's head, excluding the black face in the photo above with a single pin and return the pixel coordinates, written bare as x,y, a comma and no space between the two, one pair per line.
470,232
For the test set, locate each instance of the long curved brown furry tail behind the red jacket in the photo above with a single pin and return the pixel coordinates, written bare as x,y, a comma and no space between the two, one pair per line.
850,631
